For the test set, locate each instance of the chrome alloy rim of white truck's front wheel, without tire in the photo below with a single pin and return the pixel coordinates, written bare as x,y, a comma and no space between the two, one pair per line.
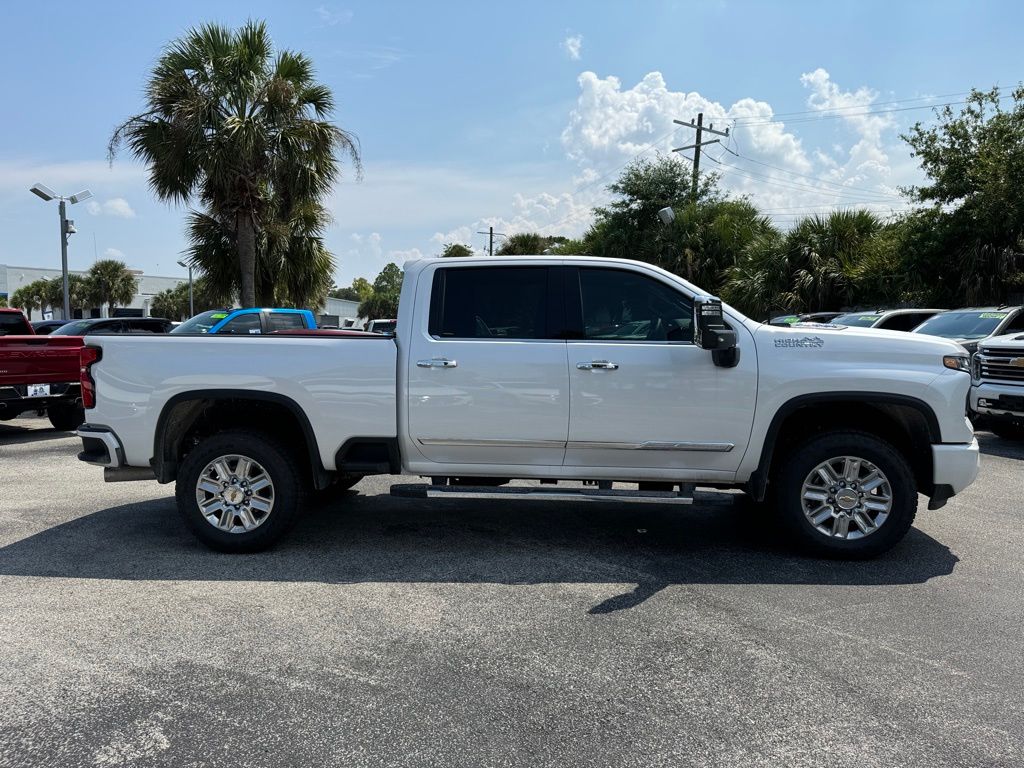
847,498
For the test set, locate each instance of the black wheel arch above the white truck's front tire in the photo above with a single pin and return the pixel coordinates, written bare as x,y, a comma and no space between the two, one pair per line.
906,421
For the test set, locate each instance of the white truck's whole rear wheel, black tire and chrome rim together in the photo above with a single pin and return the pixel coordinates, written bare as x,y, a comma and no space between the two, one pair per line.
248,519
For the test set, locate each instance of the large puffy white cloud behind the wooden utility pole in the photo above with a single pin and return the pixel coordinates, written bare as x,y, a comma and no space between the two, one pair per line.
763,158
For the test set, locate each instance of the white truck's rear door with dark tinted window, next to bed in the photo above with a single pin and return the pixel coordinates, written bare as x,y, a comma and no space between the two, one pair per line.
488,381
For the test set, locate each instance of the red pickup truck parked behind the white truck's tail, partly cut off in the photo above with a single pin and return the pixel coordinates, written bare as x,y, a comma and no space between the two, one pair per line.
38,372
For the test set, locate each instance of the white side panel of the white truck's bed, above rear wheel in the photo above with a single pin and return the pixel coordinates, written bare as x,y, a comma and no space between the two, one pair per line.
346,386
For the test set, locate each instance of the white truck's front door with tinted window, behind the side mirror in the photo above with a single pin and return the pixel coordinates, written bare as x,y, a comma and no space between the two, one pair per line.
642,394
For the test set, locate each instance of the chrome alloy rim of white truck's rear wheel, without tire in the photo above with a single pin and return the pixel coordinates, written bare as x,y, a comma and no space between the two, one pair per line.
235,494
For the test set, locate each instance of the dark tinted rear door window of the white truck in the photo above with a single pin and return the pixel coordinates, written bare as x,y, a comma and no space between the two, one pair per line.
490,304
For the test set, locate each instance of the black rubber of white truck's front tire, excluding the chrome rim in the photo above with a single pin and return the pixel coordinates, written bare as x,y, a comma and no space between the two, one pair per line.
796,468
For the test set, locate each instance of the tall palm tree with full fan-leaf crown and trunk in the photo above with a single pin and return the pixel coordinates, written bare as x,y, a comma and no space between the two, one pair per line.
228,122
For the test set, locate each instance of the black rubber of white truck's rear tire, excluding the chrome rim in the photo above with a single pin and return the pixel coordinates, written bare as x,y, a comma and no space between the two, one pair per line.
275,460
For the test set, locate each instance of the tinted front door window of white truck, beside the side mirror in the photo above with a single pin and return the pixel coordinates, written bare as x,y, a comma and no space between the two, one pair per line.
620,306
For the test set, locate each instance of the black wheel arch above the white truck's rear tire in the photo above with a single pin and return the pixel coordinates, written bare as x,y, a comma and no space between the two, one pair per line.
182,415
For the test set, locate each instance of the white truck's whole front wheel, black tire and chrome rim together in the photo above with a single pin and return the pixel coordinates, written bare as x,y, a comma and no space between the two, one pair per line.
871,527
